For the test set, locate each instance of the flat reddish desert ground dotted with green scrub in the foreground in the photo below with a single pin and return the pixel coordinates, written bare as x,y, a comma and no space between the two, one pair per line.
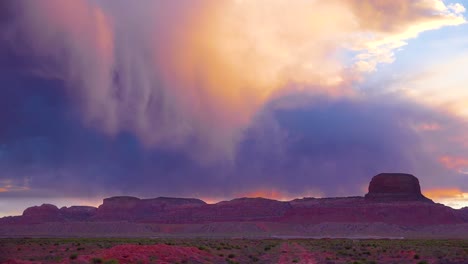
198,250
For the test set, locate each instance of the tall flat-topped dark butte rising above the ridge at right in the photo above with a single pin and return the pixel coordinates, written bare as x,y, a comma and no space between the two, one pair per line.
393,187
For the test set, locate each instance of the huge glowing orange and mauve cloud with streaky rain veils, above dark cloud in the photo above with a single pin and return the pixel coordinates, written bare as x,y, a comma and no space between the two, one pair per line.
180,73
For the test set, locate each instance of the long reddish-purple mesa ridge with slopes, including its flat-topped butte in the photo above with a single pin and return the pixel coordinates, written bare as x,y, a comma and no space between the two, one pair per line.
393,199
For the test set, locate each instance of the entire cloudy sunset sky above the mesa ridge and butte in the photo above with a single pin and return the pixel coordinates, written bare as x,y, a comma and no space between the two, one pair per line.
233,98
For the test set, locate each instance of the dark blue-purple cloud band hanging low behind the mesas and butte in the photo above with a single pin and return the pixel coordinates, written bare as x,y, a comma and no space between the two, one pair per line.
298,144
